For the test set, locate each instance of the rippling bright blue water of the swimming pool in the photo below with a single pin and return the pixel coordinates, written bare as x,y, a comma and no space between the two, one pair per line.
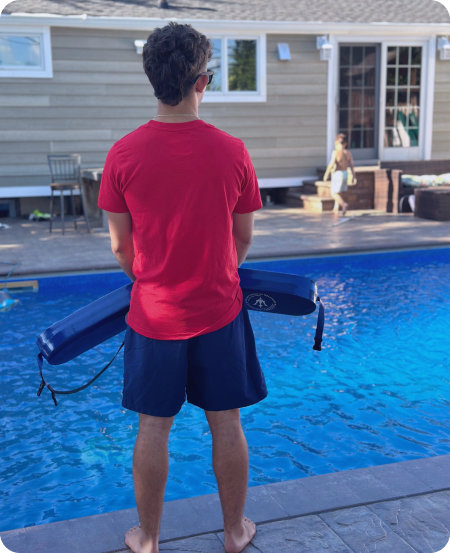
378,392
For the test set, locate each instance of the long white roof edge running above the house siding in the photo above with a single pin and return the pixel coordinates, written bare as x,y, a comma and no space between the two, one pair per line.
236,26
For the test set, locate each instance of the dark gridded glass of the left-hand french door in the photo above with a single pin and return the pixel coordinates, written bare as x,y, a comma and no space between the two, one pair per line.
357,95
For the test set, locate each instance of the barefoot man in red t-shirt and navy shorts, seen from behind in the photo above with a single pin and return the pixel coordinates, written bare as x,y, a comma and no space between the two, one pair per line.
180,196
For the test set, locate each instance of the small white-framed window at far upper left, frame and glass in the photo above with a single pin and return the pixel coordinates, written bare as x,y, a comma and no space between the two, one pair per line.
26,53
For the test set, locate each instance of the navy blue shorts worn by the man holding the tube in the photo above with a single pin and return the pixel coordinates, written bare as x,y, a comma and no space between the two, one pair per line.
217,371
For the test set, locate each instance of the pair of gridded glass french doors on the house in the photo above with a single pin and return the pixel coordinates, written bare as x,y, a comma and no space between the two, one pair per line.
380,99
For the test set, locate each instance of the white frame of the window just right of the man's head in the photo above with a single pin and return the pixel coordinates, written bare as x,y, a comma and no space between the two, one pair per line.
260,95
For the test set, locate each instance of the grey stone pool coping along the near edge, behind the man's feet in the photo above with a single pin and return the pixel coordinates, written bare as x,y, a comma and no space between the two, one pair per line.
201,515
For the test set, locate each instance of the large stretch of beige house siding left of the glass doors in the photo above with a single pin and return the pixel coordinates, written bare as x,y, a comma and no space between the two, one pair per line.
99,93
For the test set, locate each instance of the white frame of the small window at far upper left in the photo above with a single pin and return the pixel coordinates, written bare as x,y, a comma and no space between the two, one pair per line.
44,72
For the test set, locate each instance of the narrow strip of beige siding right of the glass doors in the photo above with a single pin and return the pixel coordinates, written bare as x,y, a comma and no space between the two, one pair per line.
441,120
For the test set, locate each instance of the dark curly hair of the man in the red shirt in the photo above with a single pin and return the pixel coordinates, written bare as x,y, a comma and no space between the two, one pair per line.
173,56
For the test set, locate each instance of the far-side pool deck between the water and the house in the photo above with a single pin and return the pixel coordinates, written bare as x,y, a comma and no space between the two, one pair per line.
279,232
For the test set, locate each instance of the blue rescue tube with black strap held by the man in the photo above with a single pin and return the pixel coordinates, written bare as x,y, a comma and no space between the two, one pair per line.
264,291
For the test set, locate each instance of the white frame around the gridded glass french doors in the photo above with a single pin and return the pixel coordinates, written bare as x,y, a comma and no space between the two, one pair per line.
423,151
